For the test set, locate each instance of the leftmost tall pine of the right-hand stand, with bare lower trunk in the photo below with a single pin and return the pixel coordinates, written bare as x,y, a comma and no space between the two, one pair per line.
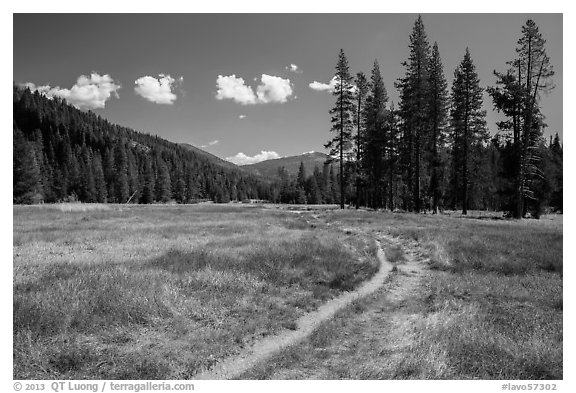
342,116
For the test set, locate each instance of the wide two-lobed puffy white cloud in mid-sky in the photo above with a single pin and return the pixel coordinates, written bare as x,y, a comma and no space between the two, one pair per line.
271,89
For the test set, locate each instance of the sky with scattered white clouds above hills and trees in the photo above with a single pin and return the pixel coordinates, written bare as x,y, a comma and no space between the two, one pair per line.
248,87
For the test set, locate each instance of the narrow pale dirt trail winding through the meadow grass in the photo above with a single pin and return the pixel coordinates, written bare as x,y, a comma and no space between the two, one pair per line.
233,367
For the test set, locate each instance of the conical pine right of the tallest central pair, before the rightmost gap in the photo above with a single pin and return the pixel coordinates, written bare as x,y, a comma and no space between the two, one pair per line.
467,121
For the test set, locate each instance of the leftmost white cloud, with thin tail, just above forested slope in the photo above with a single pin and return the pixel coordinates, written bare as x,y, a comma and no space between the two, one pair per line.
89,92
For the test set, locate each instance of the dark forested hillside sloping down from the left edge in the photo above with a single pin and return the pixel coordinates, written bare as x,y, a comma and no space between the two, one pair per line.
63,154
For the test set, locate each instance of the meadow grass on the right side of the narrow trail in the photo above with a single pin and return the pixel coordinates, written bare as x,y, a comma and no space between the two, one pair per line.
489,306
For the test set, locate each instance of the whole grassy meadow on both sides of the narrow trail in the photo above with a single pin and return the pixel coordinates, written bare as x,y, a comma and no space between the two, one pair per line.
164,292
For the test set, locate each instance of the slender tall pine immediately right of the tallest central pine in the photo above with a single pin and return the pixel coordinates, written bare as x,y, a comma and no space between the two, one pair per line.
437,107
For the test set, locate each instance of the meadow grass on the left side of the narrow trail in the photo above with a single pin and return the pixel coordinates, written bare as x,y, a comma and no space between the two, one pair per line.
163,292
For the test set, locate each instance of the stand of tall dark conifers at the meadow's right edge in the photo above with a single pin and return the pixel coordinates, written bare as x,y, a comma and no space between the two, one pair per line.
434,150
